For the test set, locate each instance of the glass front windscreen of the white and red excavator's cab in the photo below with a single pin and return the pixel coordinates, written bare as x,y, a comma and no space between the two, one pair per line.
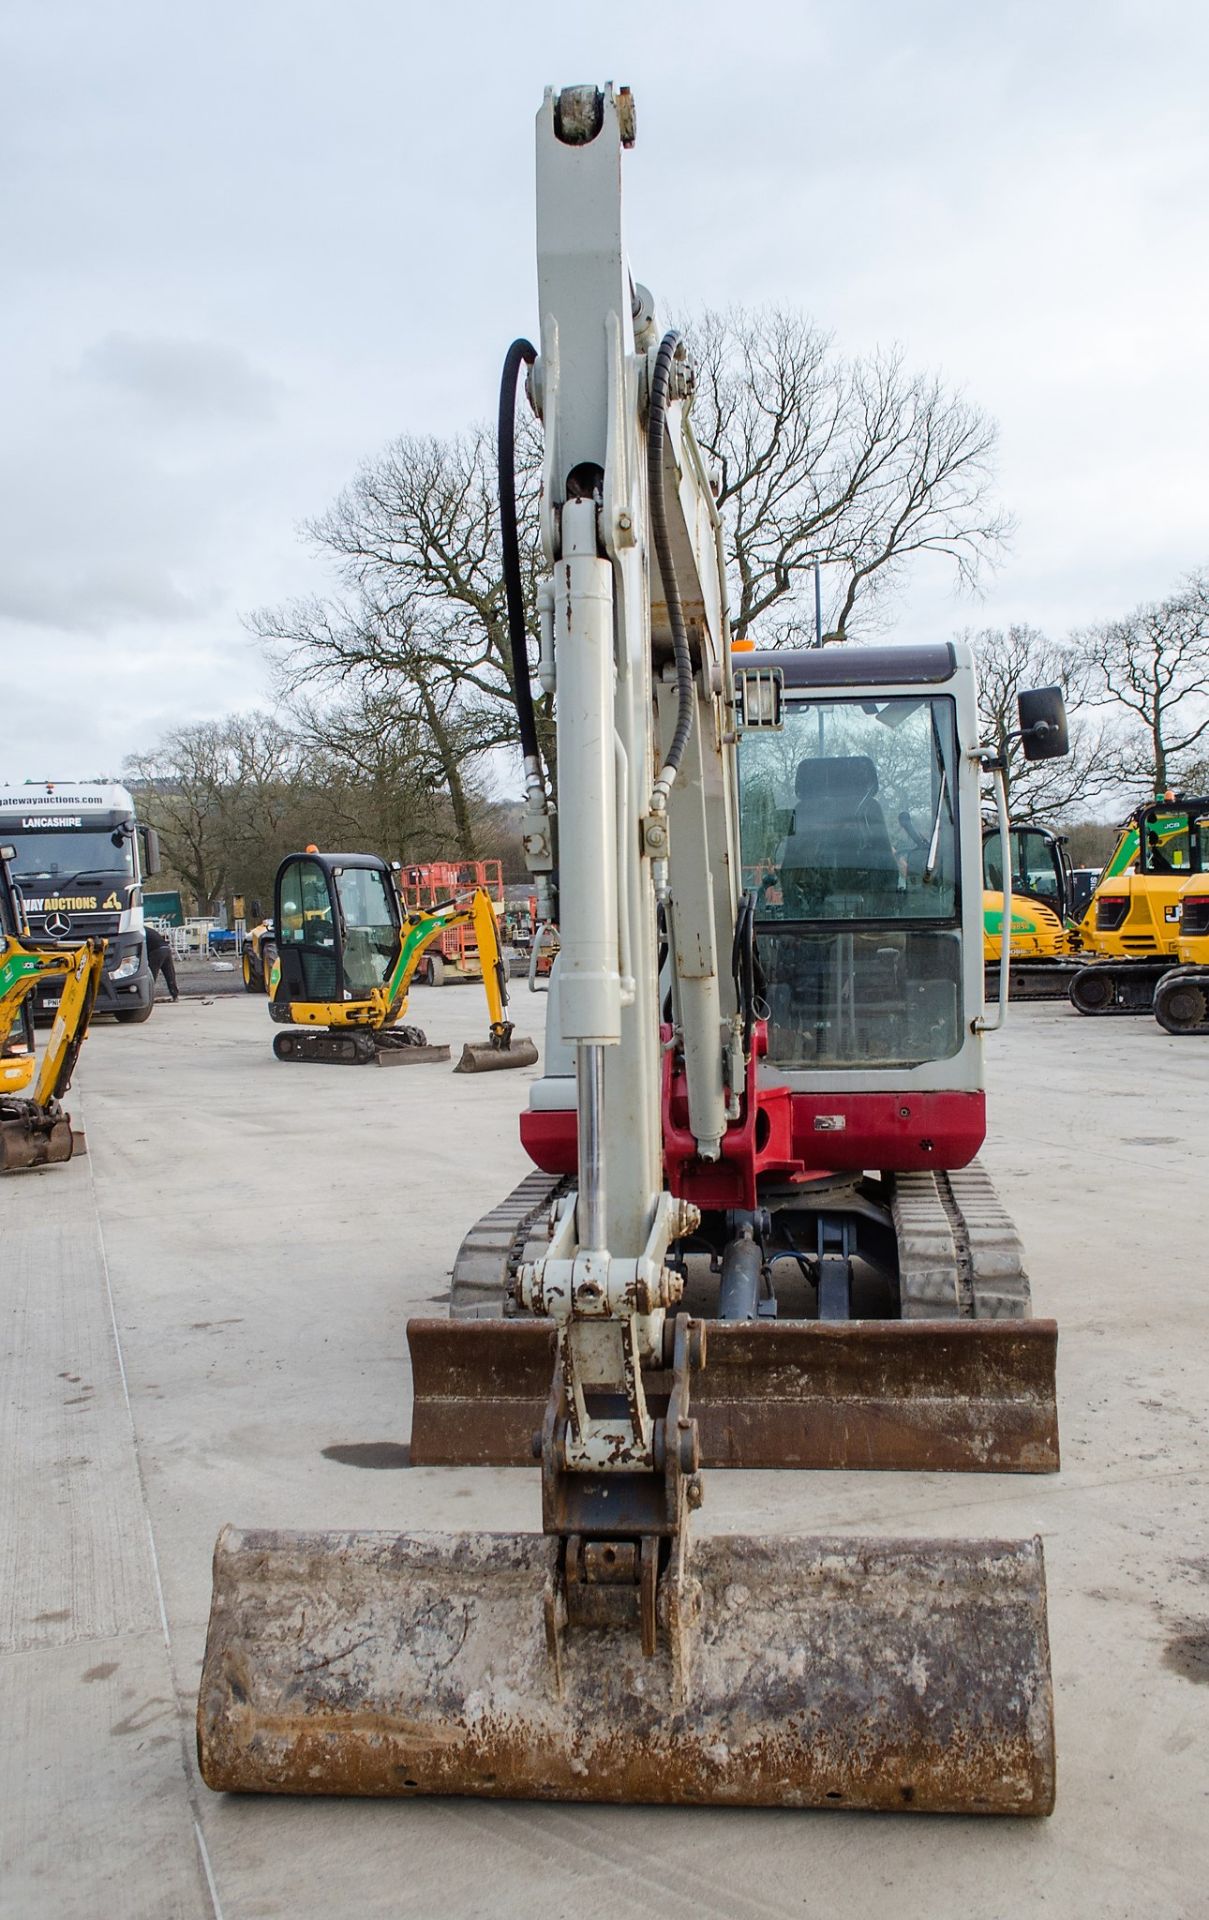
859,903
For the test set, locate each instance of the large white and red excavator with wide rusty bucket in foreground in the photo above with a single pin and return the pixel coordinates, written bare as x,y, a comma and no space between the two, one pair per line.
755,1234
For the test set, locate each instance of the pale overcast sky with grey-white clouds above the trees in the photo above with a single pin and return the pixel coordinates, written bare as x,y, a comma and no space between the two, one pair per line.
250,243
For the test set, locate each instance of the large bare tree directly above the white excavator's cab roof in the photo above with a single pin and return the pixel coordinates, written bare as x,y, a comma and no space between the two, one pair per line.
857,466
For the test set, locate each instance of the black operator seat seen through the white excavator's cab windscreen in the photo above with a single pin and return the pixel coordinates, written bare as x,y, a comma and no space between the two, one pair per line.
840,842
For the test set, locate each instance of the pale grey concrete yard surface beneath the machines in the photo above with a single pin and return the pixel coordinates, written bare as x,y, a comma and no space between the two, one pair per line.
204,1322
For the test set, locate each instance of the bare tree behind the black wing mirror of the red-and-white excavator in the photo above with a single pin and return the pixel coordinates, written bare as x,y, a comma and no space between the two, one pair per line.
1020,658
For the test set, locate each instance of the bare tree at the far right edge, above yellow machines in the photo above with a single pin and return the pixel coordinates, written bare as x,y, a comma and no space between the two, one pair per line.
1156,667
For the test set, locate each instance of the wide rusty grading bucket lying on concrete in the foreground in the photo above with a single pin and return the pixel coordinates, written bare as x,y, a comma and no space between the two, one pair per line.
905,1675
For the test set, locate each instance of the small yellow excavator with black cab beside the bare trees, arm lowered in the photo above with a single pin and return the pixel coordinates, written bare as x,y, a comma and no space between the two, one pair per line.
346,959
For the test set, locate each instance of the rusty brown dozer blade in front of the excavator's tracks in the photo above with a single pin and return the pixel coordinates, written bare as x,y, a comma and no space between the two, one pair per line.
955,1397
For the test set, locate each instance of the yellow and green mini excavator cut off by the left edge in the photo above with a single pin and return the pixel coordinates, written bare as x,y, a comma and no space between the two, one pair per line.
36,1132
